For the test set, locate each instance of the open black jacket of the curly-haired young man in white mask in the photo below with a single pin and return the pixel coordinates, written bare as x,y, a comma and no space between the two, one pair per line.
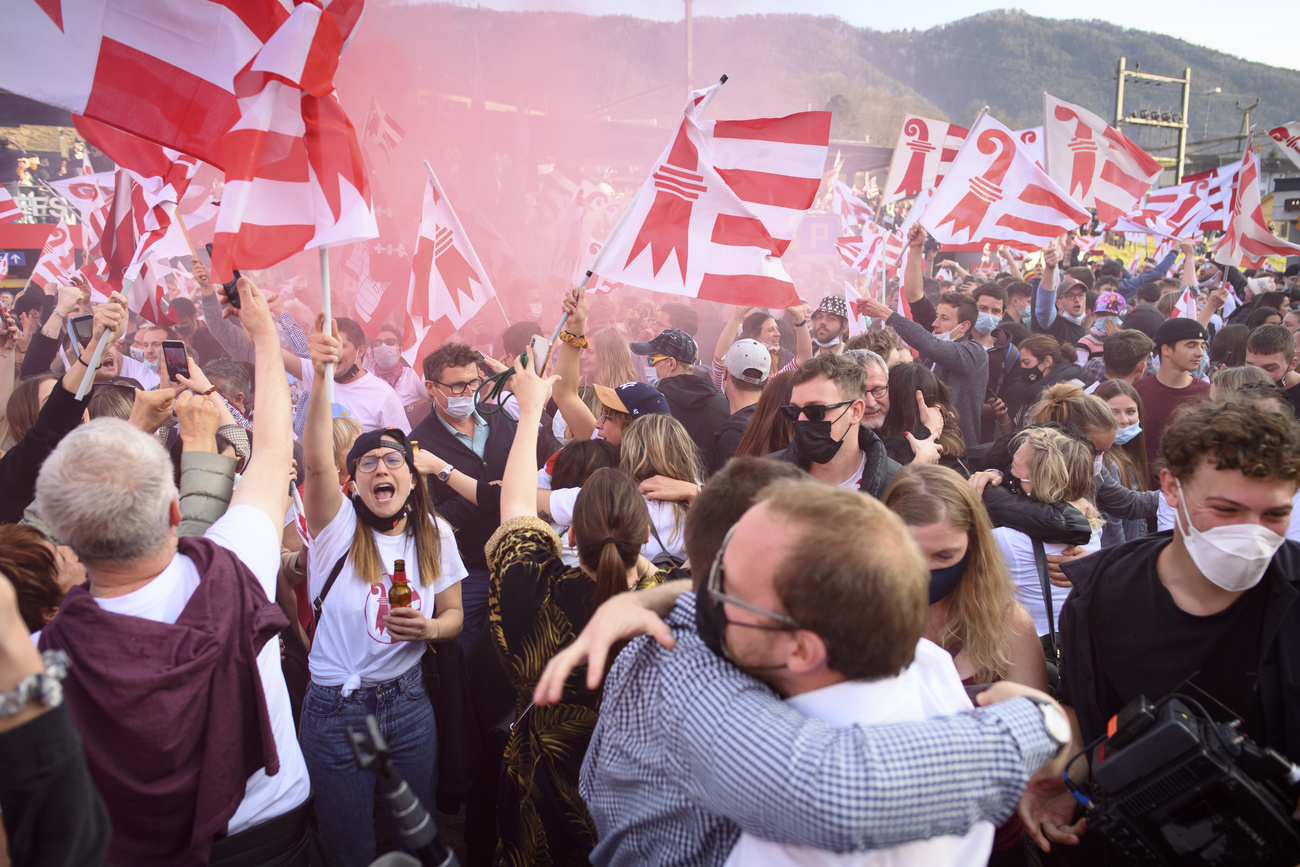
1100,582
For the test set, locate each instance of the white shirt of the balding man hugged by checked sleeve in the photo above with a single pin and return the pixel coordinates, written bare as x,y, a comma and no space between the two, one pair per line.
929,688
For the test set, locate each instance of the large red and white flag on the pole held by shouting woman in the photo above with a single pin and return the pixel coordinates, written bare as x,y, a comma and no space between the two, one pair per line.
296,179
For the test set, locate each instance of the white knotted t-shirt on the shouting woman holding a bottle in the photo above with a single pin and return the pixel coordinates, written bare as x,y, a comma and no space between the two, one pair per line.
352,647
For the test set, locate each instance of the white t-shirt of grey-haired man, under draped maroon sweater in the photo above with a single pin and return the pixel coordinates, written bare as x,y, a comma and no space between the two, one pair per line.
252,536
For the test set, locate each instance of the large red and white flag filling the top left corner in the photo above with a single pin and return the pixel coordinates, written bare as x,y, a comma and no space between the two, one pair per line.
161,70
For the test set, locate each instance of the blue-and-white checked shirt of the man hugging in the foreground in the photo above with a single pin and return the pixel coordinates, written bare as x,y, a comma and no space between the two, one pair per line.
690,752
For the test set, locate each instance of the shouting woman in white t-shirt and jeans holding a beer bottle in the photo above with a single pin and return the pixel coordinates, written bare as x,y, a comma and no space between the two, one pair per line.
366,654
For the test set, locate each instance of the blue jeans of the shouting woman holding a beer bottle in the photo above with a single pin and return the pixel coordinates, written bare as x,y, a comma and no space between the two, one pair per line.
345,796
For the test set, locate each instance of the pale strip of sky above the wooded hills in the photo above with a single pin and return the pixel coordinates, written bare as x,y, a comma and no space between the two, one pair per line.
1215,25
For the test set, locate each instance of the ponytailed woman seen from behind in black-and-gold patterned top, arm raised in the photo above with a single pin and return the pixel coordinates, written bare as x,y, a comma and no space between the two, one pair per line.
539,608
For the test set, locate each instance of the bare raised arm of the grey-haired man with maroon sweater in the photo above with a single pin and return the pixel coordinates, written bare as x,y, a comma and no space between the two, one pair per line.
265,483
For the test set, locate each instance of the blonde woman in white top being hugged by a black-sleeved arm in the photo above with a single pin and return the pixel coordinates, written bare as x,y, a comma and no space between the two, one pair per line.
1050,467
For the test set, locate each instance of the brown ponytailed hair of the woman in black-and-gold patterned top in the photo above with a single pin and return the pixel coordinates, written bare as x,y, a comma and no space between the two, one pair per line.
612,523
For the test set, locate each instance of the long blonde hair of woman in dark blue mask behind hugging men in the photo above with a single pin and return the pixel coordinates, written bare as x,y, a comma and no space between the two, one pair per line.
980,609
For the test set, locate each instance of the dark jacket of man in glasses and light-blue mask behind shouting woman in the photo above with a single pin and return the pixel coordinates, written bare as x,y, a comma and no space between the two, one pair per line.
475,524
